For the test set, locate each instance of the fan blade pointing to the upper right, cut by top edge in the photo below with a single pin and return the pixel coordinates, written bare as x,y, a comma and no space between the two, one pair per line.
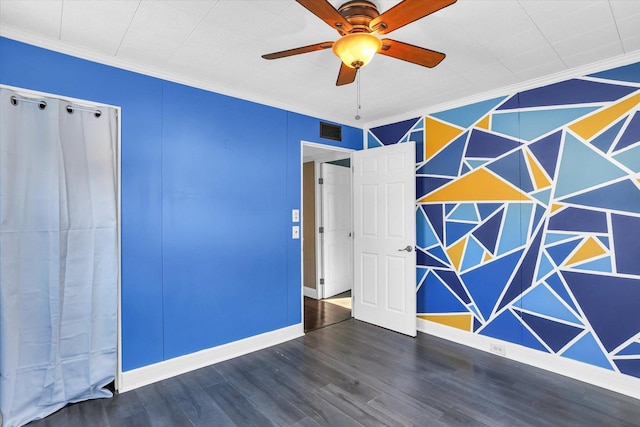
405,13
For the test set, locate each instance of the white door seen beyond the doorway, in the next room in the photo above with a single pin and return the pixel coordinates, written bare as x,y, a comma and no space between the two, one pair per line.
337,247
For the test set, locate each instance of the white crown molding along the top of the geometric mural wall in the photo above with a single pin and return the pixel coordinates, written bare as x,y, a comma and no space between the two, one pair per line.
617,61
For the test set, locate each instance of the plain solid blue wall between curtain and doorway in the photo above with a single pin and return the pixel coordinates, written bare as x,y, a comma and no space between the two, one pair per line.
208,184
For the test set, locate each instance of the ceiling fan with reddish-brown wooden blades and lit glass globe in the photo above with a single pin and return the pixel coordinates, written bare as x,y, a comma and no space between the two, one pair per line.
358,21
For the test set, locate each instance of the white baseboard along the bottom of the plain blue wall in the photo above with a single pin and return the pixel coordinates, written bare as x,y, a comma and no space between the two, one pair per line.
135,378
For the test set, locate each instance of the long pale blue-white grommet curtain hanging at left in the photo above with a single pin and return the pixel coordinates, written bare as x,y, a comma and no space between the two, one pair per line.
58,254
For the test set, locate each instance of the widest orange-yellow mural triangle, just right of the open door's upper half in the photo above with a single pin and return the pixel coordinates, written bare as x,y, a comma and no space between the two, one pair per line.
476,186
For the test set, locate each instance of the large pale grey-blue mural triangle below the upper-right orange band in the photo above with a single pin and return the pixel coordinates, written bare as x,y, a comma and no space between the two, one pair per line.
578,165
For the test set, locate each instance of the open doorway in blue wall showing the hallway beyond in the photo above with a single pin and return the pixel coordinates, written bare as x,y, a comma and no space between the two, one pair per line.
326,235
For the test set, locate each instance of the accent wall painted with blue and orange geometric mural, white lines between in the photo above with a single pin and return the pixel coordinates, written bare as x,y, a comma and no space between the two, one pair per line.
528,218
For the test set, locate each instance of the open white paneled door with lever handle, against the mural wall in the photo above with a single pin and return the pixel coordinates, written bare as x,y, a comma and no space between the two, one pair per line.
384,224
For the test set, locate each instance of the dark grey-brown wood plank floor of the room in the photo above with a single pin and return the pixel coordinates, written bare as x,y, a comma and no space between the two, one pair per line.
352,373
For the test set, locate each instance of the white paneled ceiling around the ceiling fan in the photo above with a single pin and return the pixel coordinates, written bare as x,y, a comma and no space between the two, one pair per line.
217,45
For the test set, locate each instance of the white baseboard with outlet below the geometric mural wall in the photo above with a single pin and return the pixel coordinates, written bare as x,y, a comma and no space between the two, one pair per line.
619,383
